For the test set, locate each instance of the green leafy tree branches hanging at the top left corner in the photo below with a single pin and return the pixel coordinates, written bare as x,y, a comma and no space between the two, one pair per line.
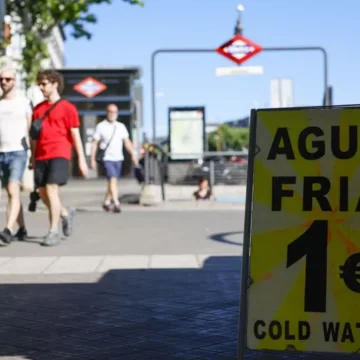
39,17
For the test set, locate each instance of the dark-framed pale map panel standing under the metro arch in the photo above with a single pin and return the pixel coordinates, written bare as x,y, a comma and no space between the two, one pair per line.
187,133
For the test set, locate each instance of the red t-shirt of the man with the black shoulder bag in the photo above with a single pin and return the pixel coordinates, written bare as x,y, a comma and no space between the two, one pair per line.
55,139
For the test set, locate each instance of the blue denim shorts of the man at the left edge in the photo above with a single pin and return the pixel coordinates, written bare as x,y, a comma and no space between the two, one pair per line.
12,166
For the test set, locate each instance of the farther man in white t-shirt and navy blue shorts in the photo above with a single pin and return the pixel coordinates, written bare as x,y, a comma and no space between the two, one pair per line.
107,149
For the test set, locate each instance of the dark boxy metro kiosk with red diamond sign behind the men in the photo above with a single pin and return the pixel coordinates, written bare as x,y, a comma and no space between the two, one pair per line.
91,90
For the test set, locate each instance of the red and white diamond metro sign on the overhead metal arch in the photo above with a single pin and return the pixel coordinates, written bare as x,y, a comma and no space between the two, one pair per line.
239,49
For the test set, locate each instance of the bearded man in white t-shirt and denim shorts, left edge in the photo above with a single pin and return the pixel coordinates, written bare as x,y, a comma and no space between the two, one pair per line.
15,120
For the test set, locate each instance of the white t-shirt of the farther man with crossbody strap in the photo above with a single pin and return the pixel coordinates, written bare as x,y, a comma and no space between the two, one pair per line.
103,133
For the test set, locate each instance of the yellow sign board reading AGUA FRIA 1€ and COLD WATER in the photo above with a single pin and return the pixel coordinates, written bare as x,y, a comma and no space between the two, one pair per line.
304,291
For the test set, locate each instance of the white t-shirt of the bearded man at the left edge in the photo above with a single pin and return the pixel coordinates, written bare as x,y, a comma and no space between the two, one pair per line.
14,124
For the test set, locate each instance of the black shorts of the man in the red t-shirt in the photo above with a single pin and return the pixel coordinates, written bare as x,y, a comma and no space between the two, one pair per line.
54,171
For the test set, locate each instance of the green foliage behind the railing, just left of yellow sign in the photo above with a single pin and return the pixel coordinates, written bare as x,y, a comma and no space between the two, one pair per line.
229,138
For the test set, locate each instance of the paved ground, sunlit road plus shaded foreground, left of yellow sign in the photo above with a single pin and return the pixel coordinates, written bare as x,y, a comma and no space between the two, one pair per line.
148,284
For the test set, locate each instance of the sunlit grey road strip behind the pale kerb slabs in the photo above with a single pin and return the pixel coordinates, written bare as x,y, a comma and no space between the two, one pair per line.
139,233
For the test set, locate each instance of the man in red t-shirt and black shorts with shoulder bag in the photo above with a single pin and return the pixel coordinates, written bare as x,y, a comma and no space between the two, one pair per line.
51,153
